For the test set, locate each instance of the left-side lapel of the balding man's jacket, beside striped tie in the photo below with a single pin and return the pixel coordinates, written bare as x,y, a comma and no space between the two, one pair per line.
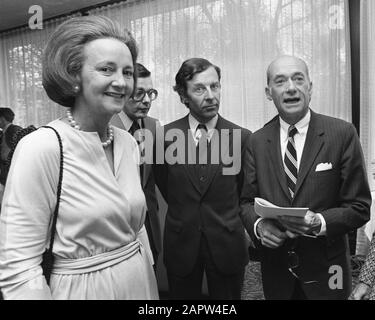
273,141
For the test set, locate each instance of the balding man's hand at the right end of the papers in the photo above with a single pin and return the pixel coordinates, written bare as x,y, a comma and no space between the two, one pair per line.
309,224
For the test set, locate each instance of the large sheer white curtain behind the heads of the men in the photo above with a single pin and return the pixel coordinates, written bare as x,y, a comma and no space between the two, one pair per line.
242,37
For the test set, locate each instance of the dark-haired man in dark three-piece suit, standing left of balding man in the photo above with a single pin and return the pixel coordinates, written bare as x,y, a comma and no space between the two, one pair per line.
202,183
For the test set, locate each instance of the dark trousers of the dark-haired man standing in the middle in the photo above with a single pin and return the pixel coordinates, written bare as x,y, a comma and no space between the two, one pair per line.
220,286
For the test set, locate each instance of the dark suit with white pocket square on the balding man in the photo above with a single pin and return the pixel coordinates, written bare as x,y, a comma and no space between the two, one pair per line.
341,195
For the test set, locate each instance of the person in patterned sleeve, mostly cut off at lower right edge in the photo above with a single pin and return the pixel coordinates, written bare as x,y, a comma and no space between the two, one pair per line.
365,289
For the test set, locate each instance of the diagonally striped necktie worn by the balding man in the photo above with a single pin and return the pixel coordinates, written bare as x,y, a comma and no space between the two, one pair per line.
290,161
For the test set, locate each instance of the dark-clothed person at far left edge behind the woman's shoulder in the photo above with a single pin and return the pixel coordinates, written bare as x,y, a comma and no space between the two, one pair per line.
8,132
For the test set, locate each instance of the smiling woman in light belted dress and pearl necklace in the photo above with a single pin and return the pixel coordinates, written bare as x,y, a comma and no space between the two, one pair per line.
88,67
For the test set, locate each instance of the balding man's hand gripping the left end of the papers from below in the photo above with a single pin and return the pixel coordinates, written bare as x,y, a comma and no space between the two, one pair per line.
271,235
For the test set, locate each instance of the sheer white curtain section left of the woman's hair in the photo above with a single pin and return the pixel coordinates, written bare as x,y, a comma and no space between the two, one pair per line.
21,75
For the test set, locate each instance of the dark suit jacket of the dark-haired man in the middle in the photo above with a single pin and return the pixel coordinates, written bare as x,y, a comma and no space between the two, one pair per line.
213,210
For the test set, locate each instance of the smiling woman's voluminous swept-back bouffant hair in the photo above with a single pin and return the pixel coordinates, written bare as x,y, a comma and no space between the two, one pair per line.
64,54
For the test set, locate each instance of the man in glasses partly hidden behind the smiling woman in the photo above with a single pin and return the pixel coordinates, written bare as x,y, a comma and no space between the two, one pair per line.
135,120
